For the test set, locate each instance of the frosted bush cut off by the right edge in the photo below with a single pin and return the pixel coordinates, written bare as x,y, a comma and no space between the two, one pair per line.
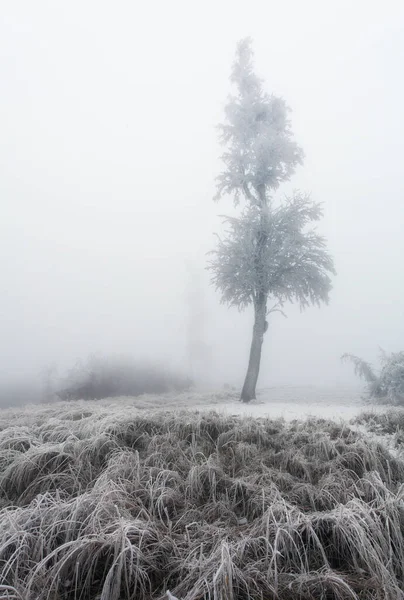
388,384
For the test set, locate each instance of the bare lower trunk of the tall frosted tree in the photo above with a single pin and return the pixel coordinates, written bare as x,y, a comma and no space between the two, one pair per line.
251,378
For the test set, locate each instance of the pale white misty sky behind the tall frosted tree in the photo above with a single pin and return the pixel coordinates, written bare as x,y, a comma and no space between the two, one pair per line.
108,154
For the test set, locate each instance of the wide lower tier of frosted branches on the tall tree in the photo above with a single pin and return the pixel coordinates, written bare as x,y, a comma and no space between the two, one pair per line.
291,265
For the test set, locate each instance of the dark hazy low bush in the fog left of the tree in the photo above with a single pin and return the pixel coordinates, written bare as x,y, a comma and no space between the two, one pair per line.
106,377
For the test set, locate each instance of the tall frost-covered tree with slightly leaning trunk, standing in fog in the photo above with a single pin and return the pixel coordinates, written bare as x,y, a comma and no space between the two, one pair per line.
270,254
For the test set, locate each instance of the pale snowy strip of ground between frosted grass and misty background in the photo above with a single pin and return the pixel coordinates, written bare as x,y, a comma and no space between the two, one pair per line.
288,402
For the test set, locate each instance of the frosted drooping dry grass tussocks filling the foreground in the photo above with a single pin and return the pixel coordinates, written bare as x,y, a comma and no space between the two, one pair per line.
108,505
